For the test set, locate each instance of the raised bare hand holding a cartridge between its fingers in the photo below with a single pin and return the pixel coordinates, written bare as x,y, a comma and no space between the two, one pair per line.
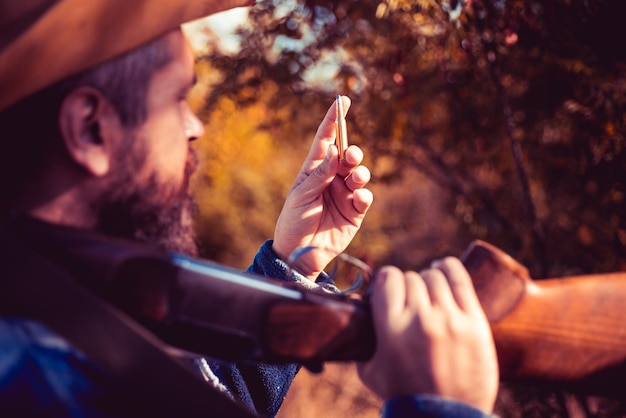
327,203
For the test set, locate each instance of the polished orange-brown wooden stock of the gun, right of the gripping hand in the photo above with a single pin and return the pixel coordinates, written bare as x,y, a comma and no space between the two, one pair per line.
569,331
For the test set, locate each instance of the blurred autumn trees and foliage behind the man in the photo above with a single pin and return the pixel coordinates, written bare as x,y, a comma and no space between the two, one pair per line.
500,120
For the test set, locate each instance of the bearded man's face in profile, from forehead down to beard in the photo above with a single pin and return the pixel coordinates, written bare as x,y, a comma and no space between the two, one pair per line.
148,198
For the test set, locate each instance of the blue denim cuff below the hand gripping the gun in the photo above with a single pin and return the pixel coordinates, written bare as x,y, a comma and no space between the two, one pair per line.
429,406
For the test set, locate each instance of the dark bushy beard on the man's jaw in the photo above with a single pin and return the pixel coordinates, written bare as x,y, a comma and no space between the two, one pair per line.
153,213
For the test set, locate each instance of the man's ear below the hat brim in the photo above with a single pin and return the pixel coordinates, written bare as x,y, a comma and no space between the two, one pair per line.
90,129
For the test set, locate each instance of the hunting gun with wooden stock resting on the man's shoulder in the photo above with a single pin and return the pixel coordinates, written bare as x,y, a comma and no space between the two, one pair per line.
565,333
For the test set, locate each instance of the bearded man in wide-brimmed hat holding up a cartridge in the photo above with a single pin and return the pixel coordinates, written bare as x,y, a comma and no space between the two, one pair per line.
97,134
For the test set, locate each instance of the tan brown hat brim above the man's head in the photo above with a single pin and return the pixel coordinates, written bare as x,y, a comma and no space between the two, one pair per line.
45,41
